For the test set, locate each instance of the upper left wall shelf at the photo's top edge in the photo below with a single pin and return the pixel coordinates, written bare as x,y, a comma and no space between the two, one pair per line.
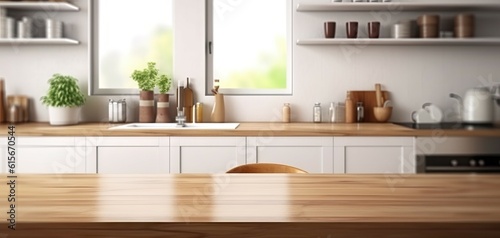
45,6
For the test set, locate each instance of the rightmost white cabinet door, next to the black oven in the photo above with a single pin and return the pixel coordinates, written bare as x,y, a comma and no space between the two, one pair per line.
380,155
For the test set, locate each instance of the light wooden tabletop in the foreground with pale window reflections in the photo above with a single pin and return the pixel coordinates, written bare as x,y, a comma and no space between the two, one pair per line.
186,202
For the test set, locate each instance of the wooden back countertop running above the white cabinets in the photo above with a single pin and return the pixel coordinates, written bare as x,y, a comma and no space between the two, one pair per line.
245,129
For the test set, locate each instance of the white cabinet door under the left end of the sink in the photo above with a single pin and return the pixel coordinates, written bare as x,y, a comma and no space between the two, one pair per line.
128,155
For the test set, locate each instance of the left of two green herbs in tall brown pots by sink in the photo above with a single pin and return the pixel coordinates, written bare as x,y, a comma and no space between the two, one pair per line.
146,80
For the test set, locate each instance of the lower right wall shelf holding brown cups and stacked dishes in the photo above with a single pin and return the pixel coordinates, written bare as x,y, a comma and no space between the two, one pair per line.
415,41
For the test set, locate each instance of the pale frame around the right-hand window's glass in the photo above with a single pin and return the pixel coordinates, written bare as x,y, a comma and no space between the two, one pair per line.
246,91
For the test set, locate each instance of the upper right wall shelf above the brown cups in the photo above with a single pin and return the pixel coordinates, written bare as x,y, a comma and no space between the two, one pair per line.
398,6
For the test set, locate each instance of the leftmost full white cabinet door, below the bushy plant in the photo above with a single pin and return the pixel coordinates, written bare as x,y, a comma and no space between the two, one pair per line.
54,155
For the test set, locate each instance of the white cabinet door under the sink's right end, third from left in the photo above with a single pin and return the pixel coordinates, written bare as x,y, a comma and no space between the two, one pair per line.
206,154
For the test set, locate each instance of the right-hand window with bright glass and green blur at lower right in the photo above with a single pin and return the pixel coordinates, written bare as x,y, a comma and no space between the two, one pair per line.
249,48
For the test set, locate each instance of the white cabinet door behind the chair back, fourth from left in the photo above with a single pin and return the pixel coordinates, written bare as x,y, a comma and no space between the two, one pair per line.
313,154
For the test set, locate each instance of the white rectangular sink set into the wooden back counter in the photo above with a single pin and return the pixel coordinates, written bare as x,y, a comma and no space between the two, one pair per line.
173,126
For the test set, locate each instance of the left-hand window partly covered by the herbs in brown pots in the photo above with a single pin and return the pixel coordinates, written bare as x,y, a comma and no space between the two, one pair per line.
125,36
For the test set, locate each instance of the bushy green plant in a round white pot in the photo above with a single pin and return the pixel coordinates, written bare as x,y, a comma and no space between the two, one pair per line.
64,99
